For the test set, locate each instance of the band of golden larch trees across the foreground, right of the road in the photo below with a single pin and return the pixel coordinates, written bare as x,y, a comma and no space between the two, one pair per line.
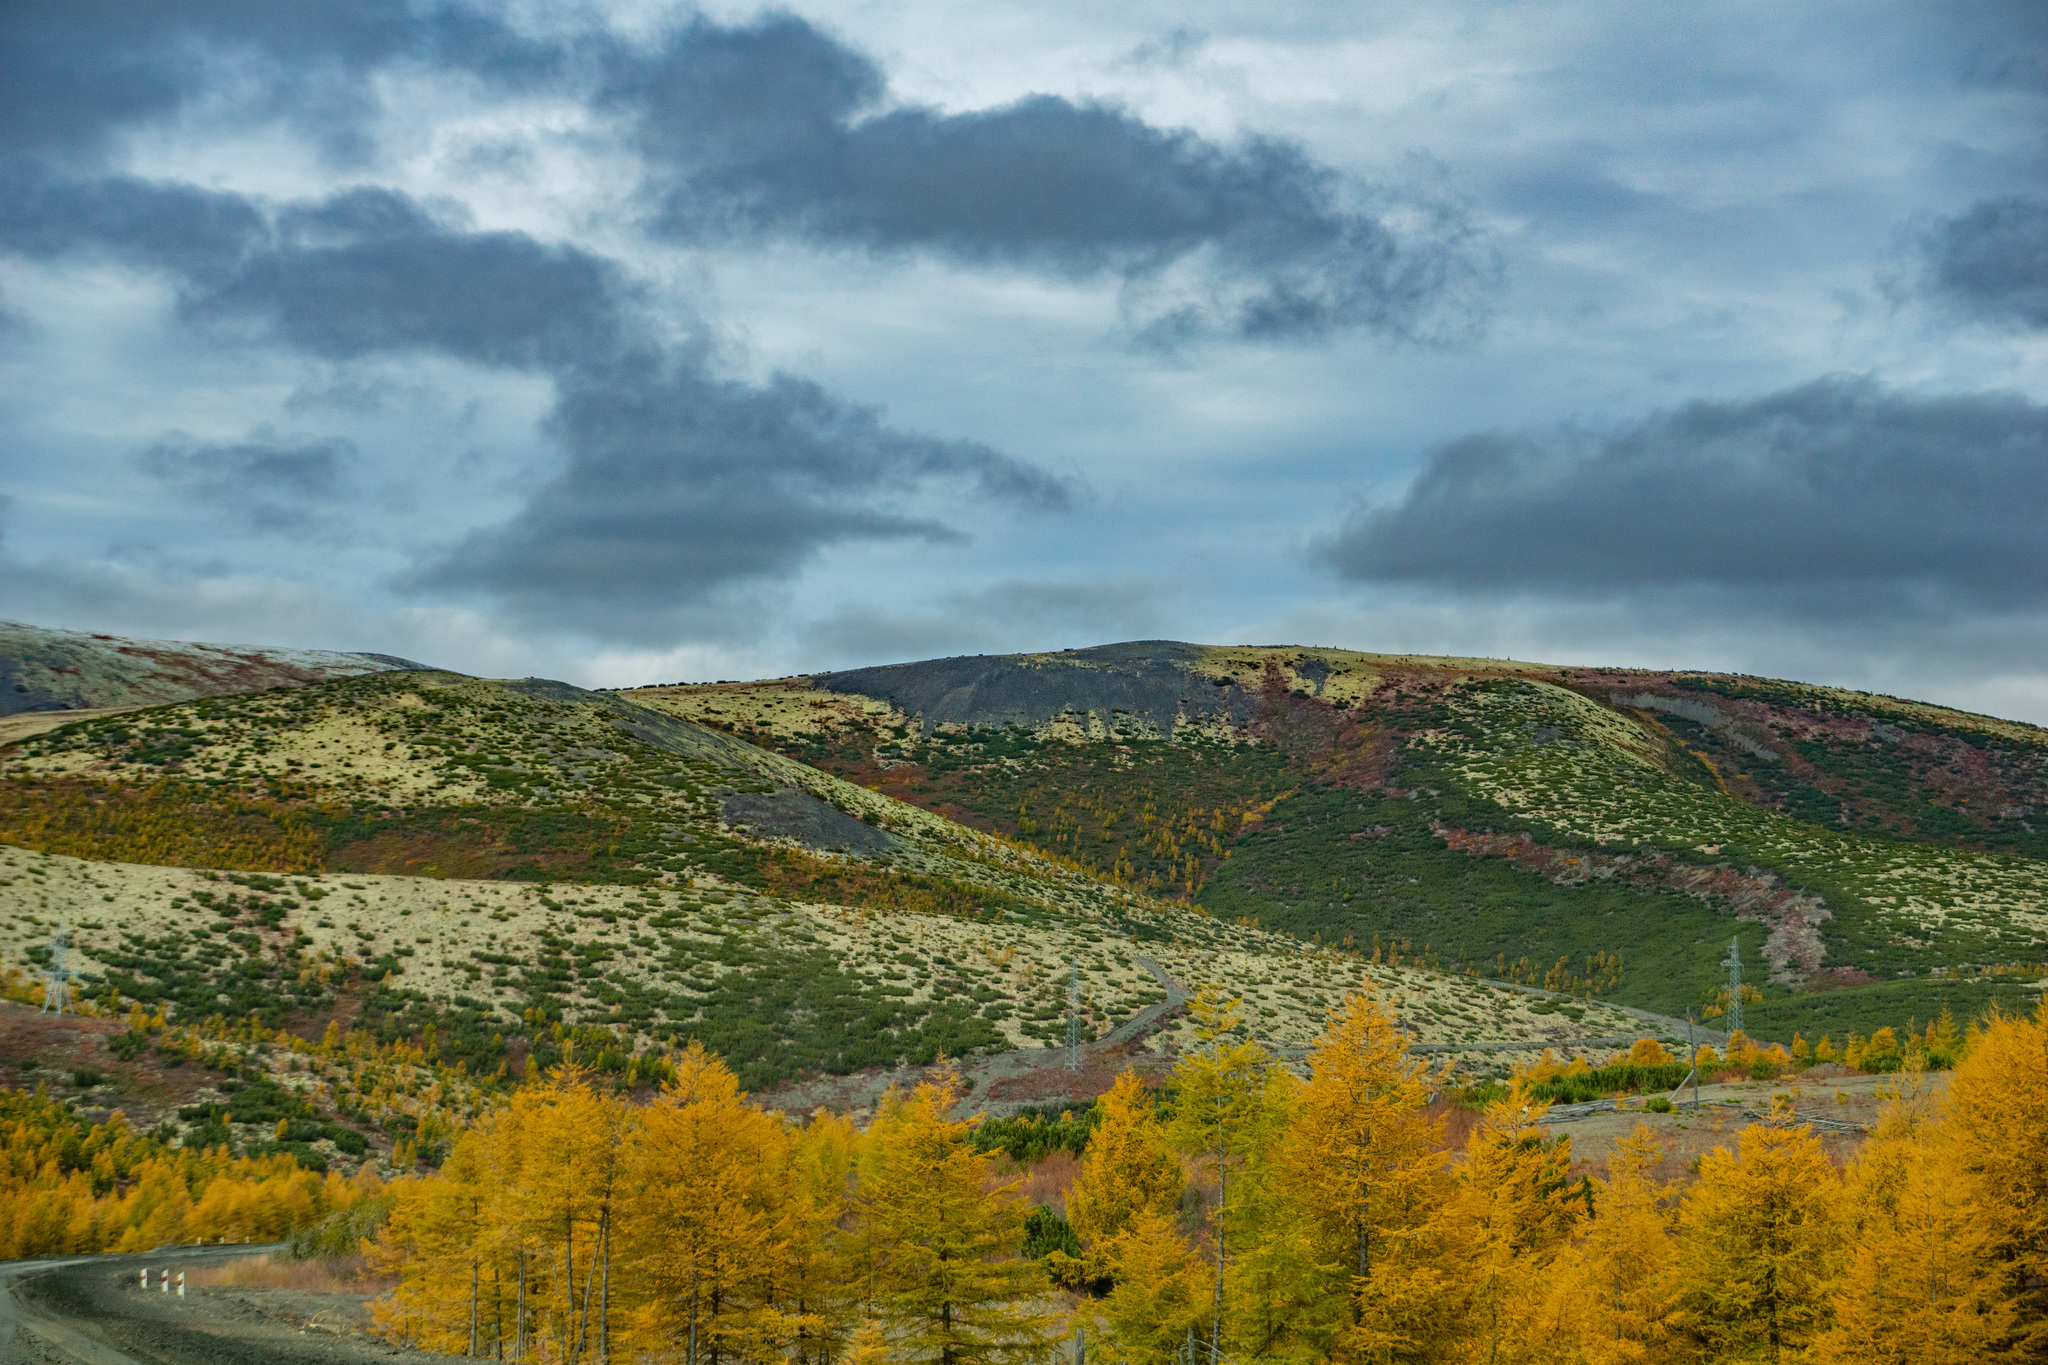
1324,1227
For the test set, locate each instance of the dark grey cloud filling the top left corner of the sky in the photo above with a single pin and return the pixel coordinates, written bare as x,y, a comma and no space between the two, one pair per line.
75,73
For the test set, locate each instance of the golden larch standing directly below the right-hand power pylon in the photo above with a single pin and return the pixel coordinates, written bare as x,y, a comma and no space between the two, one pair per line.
1760,1247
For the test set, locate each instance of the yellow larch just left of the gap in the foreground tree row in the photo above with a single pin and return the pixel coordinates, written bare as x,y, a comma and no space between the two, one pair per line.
941,1243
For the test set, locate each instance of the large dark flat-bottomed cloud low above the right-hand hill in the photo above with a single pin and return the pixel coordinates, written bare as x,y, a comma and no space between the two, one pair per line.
1832,488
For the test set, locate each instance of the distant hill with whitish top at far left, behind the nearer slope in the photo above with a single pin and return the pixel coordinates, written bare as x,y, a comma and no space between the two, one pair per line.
73,670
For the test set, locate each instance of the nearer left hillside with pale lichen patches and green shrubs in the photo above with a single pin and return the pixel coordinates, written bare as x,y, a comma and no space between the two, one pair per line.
509,873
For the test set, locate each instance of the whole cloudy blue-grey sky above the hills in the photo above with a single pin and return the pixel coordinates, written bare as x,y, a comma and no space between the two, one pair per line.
628,343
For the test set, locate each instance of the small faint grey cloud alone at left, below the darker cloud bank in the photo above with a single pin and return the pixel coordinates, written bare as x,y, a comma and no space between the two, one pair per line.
269,484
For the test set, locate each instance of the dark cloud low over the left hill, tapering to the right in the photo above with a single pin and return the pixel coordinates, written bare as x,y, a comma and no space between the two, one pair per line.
681,484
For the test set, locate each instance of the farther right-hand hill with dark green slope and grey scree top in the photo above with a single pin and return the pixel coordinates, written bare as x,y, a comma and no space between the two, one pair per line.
1594,830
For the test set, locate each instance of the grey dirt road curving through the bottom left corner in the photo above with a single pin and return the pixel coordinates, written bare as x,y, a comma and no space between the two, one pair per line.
91,1311
